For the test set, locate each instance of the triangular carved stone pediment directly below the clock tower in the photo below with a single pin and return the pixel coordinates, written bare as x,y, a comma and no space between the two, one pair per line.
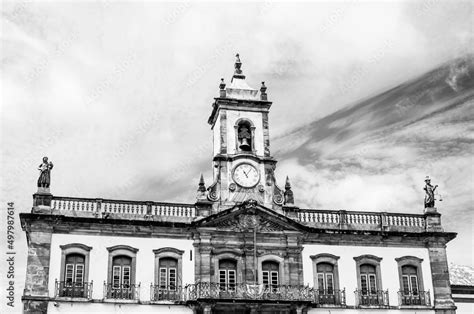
247,216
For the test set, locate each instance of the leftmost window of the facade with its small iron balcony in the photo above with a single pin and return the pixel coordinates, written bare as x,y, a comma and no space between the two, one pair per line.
74,271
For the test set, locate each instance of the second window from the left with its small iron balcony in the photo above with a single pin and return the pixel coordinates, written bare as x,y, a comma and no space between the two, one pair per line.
121,274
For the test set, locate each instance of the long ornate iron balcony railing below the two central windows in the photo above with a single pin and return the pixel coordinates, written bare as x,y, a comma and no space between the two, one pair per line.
205,290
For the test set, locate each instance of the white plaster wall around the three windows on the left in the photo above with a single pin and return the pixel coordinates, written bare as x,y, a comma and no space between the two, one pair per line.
99,259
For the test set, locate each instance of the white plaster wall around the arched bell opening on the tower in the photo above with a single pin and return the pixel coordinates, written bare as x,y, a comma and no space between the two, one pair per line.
256,118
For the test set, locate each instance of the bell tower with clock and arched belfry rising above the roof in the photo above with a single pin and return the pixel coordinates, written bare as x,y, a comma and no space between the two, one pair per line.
243,166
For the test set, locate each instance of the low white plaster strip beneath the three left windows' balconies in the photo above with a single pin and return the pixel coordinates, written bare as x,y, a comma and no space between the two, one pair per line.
76,307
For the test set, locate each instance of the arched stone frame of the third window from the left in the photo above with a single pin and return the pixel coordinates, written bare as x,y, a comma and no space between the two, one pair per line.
169,252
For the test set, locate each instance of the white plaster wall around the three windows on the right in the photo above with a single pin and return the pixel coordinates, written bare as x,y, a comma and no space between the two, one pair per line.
348,273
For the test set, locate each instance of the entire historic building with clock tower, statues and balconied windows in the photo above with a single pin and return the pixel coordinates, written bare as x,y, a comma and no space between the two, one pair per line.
242,247
